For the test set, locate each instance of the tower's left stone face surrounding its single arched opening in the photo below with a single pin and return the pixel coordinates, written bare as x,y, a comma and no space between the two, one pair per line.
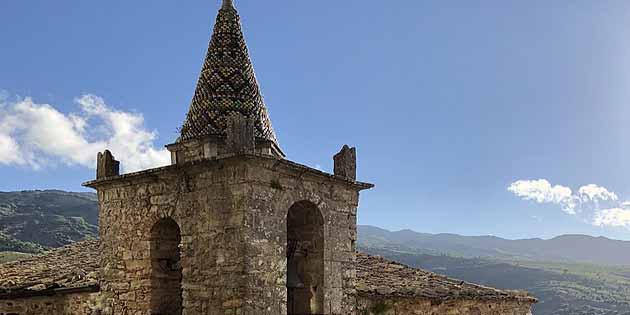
210,217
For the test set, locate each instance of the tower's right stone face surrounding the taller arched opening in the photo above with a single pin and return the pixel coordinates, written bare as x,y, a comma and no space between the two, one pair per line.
268,204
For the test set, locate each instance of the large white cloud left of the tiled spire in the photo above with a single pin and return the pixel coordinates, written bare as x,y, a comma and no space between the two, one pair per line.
36,135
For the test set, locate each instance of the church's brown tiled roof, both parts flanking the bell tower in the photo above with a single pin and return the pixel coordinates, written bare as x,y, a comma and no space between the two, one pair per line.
76,267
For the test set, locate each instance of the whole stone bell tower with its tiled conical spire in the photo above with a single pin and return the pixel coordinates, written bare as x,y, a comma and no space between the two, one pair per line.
231,227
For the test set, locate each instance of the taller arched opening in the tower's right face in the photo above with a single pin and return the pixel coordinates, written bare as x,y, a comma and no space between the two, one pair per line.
305,259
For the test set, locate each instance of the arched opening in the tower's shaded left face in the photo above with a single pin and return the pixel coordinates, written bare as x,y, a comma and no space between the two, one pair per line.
166,270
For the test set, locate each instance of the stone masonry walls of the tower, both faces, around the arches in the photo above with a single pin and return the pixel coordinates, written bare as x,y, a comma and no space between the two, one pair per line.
232,216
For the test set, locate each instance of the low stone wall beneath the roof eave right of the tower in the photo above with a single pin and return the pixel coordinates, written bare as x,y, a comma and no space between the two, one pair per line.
368,306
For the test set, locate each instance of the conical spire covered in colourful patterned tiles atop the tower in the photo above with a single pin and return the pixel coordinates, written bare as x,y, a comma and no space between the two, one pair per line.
227,84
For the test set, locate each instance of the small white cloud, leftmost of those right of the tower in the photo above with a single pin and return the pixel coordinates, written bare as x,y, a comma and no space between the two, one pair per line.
542,191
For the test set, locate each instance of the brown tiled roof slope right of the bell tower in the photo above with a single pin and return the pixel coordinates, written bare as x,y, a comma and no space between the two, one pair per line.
377,276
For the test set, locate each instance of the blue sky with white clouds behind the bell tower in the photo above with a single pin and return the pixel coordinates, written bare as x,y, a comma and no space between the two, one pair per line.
449,103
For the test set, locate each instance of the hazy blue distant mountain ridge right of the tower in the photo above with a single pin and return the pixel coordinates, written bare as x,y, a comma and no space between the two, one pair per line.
565,248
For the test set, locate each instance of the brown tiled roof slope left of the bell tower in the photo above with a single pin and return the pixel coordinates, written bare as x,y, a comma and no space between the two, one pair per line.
69,267
